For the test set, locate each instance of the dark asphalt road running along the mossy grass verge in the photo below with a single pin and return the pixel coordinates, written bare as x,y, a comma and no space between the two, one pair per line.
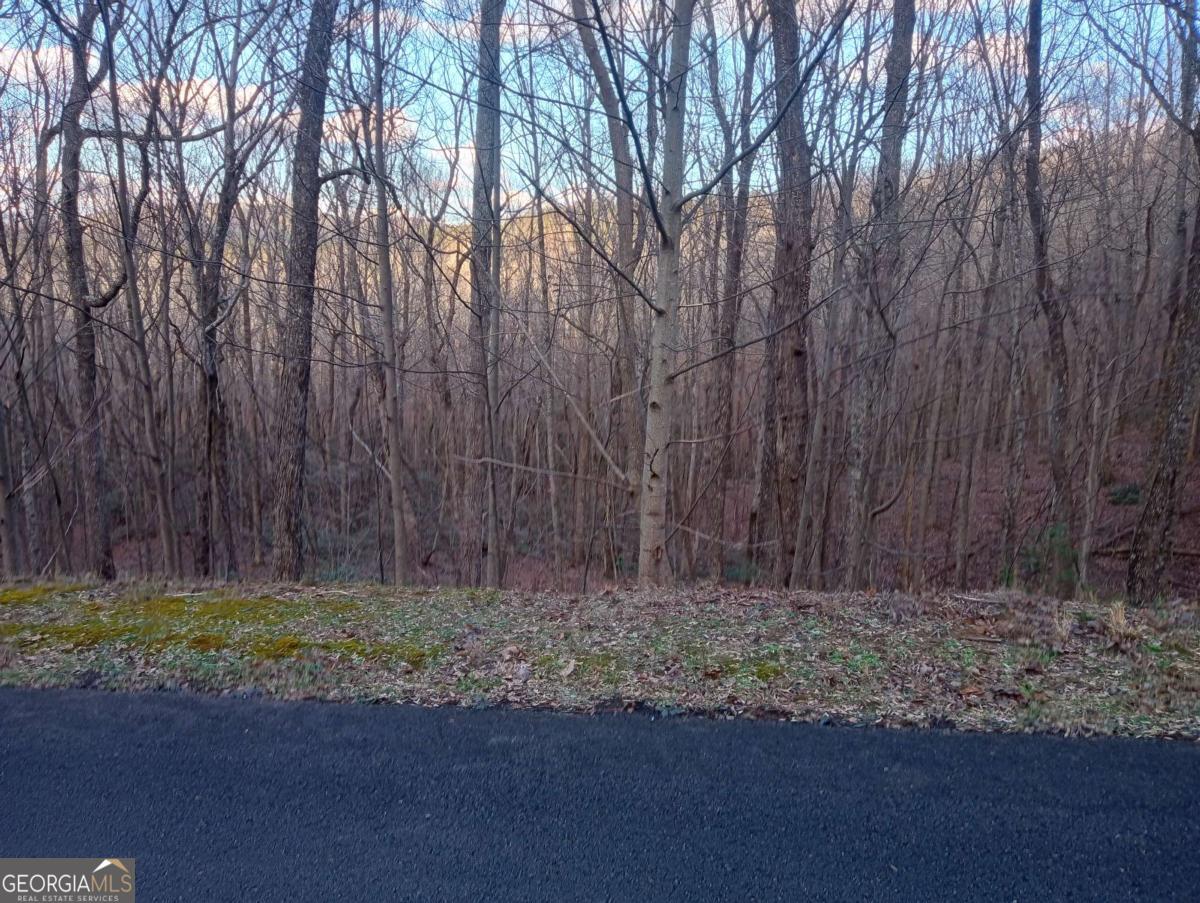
239,800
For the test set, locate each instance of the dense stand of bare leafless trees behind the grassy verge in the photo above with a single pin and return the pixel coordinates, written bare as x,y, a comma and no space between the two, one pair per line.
556,295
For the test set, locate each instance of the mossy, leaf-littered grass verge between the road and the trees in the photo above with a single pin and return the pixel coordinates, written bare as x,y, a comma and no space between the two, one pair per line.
1000,661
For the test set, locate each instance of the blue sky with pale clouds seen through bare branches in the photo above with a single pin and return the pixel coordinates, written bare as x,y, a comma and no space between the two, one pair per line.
431,53
